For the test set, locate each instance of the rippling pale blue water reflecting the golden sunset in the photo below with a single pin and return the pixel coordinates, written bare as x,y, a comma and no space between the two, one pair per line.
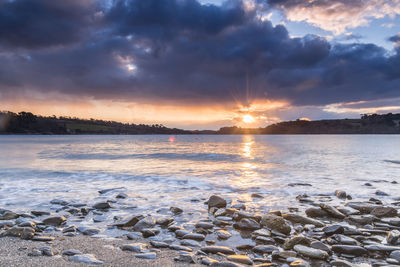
159,171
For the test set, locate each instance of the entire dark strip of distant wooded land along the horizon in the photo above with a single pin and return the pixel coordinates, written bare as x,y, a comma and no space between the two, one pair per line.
28,123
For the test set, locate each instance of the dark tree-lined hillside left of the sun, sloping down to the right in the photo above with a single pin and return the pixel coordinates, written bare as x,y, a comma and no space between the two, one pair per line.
28,123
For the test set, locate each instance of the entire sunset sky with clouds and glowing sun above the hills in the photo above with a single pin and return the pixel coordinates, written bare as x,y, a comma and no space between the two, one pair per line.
200,64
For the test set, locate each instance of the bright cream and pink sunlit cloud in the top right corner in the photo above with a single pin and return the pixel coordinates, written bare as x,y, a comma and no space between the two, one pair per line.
337,15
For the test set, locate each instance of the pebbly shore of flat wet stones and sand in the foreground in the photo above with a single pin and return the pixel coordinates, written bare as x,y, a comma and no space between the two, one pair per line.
323,230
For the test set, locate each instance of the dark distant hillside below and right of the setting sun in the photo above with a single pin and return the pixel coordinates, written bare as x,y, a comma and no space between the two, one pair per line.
368,124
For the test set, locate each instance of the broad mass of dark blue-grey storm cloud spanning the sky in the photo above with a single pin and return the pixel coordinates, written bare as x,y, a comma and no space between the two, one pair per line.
184,52
